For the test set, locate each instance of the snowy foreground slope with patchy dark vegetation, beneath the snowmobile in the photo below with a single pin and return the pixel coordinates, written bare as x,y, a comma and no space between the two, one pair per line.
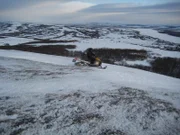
44,94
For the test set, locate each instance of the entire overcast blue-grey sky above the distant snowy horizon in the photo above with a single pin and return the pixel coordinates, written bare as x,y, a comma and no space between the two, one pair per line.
87,11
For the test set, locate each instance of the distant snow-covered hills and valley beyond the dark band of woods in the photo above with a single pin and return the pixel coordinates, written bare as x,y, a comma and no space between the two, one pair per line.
95,36
